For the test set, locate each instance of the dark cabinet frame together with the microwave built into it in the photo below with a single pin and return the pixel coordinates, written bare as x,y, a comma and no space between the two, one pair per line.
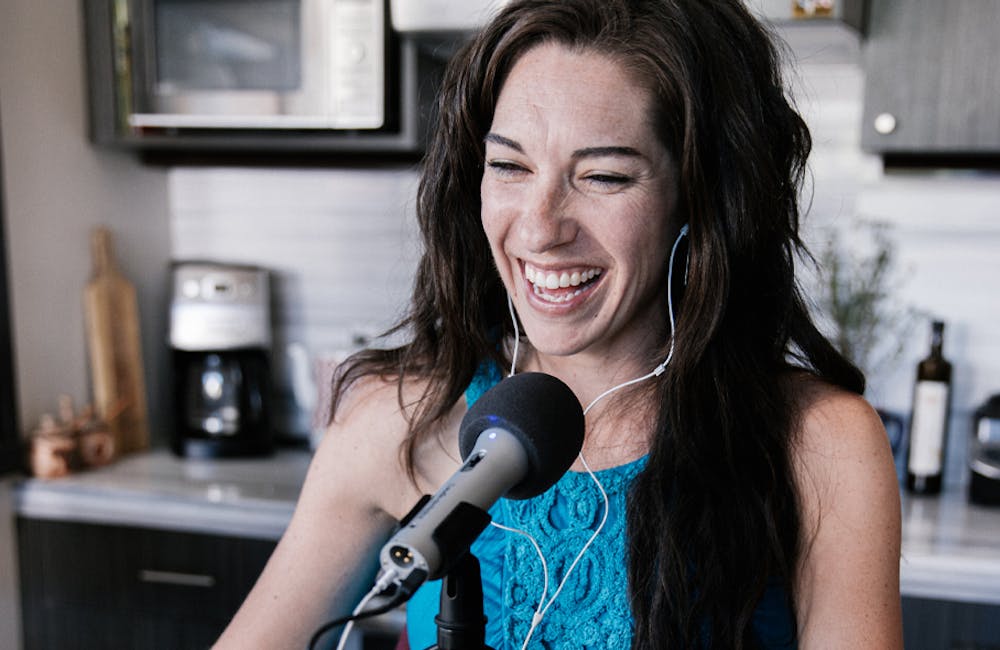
252,73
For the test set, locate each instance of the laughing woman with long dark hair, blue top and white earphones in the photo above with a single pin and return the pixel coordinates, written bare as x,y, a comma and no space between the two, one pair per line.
752,500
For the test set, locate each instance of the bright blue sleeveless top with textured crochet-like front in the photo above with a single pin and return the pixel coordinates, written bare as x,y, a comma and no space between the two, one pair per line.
592,610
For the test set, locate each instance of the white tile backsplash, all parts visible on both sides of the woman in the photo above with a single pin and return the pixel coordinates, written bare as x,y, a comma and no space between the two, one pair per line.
343,243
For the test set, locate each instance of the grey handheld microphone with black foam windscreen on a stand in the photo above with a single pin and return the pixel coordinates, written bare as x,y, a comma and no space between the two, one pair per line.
517,440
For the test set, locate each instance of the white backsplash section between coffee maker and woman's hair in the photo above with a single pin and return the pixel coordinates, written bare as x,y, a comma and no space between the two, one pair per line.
341,243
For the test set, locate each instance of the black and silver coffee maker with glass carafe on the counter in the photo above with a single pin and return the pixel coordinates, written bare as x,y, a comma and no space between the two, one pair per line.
220,340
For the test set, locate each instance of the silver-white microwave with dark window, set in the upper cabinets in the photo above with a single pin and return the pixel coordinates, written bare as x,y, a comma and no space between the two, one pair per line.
295,64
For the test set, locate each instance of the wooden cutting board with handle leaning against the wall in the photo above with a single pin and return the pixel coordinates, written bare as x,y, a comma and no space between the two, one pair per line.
113,341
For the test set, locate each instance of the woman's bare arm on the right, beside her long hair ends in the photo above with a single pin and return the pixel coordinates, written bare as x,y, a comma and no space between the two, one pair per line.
847,592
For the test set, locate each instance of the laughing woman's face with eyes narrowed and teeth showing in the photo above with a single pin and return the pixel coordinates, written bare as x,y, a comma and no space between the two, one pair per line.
578,195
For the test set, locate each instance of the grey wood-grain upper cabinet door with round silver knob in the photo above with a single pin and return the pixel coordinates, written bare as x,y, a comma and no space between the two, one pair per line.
932,85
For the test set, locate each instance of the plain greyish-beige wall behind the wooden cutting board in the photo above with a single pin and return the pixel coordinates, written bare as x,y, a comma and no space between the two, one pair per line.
57,187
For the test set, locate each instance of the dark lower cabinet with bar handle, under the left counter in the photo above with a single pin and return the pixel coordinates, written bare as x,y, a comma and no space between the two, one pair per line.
98,586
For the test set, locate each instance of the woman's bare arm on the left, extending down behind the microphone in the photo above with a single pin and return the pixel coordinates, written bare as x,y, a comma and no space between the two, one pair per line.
326,561
